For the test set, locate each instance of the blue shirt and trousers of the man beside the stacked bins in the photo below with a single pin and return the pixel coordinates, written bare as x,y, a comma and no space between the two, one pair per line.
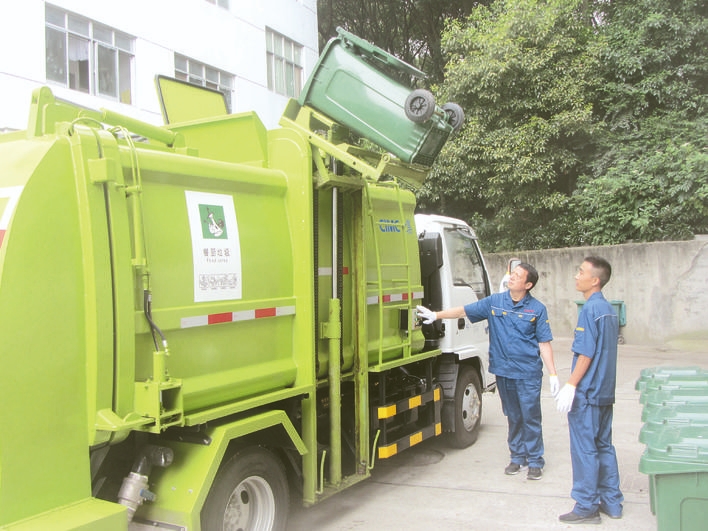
595,472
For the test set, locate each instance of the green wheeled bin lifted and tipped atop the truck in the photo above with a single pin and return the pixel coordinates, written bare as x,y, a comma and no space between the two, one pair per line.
355,84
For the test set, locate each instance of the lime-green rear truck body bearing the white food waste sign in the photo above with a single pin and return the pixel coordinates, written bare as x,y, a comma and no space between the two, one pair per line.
89,220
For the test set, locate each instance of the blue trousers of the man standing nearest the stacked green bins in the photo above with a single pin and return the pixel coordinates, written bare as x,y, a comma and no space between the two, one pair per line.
595,472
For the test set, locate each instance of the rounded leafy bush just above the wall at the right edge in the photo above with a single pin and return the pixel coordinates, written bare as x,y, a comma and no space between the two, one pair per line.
653,186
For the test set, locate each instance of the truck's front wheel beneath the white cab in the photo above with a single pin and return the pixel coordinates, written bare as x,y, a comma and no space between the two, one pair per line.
468,407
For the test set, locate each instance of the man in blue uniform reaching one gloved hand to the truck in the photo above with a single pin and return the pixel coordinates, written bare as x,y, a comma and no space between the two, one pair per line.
519,344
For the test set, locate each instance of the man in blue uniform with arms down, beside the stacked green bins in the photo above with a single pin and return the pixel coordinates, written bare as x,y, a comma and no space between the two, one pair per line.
588,399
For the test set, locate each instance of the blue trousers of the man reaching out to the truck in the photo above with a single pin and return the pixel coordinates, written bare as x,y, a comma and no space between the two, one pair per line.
521,403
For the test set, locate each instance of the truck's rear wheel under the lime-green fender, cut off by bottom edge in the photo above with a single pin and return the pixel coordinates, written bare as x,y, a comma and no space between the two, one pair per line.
250,493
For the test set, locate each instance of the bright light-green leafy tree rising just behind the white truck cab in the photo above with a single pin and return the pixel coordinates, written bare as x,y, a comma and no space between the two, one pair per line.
525,71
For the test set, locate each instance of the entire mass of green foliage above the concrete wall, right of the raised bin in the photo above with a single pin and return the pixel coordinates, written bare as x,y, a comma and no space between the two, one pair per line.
585,122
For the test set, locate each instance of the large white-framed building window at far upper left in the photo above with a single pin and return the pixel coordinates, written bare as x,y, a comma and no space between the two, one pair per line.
87,56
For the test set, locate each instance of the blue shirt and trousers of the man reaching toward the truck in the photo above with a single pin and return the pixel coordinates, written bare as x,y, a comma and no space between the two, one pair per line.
515,330
